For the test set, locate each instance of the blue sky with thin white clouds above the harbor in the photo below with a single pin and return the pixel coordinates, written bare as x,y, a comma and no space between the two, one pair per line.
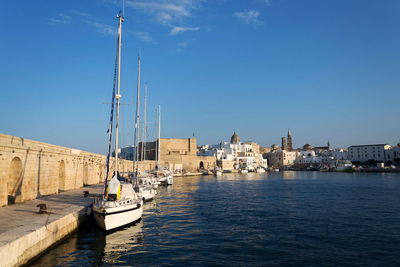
328,70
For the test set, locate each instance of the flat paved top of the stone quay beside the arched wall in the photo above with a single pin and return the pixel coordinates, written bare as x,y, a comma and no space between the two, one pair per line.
22,218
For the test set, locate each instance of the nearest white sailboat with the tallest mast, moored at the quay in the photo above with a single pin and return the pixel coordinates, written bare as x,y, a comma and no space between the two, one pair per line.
119,204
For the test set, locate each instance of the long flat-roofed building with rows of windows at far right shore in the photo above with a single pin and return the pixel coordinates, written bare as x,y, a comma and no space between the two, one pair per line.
375,152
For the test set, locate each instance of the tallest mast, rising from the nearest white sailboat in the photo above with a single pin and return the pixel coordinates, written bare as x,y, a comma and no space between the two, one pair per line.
118,95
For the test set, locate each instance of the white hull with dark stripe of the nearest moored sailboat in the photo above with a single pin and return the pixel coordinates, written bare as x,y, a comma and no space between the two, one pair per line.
112,218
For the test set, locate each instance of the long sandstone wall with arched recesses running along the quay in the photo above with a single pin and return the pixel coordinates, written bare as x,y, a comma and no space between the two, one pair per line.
30,169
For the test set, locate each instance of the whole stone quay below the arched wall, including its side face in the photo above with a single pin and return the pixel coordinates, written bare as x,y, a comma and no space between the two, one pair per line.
25,233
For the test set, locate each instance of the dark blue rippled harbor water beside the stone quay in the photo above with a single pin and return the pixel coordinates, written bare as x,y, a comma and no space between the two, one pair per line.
271,219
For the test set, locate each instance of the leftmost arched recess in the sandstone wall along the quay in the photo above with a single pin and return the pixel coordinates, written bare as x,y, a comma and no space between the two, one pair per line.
14,181
